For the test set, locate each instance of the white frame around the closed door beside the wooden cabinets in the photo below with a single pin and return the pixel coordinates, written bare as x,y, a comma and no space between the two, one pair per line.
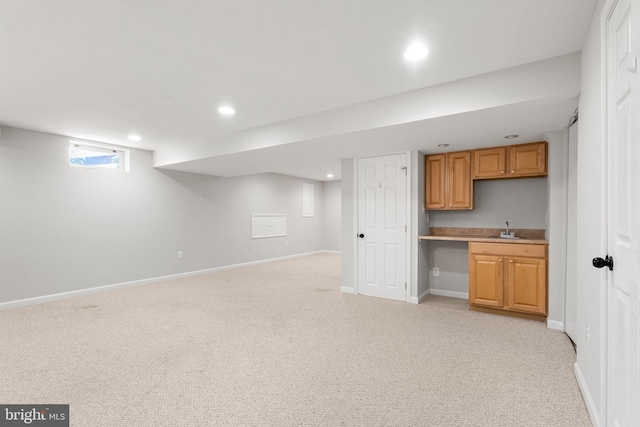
409,233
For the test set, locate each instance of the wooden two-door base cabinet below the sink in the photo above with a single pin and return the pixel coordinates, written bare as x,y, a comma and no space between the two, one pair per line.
509,278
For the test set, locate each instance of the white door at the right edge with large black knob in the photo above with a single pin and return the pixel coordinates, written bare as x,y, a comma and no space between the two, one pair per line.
623,213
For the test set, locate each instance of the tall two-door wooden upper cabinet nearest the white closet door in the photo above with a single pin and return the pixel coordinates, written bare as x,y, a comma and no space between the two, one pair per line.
448,183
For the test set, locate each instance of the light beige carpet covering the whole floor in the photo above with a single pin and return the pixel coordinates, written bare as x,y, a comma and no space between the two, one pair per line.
278,344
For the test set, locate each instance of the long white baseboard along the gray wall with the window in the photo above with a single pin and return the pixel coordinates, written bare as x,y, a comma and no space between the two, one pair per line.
88,291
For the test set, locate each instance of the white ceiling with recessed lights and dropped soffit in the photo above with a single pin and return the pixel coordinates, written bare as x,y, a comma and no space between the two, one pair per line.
300,73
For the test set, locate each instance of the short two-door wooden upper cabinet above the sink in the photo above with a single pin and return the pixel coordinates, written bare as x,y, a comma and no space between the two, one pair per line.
512,161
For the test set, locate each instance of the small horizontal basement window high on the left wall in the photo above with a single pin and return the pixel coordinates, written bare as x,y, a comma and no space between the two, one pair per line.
98,157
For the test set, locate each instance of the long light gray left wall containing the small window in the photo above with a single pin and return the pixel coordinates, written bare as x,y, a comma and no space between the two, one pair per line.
64,228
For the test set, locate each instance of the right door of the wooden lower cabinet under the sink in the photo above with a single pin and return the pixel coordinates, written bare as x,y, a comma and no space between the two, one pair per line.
526,285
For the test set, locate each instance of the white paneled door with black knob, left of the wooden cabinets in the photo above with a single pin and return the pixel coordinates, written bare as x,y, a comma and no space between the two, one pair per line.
382,226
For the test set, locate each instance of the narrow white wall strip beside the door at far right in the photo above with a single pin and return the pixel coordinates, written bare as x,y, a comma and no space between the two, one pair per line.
590,228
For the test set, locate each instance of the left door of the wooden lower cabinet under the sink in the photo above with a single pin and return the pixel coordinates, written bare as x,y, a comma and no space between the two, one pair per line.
486,284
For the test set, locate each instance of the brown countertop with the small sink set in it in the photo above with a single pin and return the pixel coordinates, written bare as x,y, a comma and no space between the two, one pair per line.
526,236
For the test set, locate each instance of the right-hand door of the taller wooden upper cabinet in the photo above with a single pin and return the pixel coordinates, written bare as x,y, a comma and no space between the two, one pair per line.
459,193
